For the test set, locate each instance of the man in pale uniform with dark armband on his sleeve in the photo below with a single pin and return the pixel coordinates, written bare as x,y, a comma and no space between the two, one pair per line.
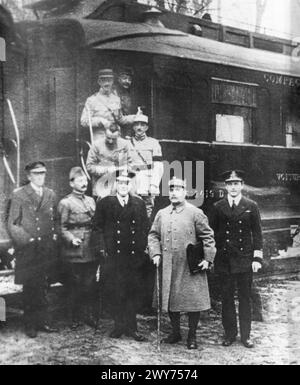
147,161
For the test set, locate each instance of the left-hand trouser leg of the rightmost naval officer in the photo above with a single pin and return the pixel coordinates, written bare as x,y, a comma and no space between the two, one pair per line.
229,321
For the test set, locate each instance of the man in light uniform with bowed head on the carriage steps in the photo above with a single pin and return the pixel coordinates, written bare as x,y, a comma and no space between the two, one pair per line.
105,157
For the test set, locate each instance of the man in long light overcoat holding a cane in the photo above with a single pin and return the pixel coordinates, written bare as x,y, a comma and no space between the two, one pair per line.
174,228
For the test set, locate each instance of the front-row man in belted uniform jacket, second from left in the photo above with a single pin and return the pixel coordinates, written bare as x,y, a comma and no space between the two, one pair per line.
76,211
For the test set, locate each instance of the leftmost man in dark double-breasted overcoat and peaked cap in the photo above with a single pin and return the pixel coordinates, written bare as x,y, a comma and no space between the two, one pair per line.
32,225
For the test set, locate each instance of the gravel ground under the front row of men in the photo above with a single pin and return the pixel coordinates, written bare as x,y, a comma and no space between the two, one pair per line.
277,339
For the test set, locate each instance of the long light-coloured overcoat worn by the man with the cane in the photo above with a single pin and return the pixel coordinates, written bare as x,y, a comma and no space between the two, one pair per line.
173,229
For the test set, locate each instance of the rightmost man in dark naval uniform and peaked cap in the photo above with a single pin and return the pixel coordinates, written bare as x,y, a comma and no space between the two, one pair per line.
237,225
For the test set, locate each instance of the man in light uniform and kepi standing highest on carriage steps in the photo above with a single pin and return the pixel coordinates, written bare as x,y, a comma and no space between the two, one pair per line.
104,108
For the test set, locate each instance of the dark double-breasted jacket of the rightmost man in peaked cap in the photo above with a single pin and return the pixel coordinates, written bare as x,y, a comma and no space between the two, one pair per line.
238,233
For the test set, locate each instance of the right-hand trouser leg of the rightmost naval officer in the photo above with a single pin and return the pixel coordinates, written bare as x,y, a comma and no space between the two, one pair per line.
244,283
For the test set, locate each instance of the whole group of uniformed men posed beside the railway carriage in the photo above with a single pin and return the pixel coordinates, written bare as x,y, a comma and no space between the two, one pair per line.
112,234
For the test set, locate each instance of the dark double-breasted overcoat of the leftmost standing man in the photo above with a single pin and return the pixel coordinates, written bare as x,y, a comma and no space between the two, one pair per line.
33,227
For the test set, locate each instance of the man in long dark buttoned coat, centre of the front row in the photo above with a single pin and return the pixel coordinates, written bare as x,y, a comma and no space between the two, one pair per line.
122,219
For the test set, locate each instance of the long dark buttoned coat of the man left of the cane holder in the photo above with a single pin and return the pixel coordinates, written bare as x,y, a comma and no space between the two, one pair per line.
124,231
